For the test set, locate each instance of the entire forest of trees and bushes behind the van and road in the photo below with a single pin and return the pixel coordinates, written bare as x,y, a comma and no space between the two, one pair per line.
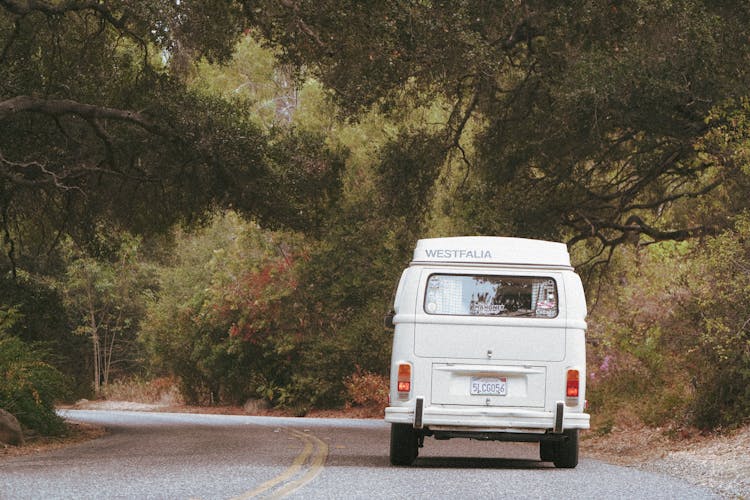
220,195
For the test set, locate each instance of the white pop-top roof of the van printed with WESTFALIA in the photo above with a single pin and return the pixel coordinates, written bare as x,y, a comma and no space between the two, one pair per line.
492,250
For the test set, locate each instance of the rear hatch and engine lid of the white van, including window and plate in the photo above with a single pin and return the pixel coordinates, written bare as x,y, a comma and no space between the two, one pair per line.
490,334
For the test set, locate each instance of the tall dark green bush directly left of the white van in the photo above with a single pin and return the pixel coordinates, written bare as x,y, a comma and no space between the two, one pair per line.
347,284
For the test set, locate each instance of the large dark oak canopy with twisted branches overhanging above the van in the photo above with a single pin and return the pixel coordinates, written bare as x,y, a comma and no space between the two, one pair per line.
573,121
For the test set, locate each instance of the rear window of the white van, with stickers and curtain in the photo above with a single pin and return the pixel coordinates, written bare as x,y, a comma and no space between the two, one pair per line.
491,295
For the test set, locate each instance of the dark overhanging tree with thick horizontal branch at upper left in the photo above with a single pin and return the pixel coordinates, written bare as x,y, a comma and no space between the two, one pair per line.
100,123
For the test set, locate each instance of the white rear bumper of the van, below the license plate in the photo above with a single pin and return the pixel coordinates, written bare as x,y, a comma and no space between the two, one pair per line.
486,419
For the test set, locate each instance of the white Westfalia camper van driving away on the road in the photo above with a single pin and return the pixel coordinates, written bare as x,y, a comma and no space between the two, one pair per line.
489,343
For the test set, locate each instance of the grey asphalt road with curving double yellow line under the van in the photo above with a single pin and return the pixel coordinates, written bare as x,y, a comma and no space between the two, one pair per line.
188,456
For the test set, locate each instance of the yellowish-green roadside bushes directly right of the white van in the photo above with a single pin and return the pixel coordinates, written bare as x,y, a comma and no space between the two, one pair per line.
671,326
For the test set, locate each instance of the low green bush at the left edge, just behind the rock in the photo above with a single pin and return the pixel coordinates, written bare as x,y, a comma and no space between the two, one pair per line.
29,386
